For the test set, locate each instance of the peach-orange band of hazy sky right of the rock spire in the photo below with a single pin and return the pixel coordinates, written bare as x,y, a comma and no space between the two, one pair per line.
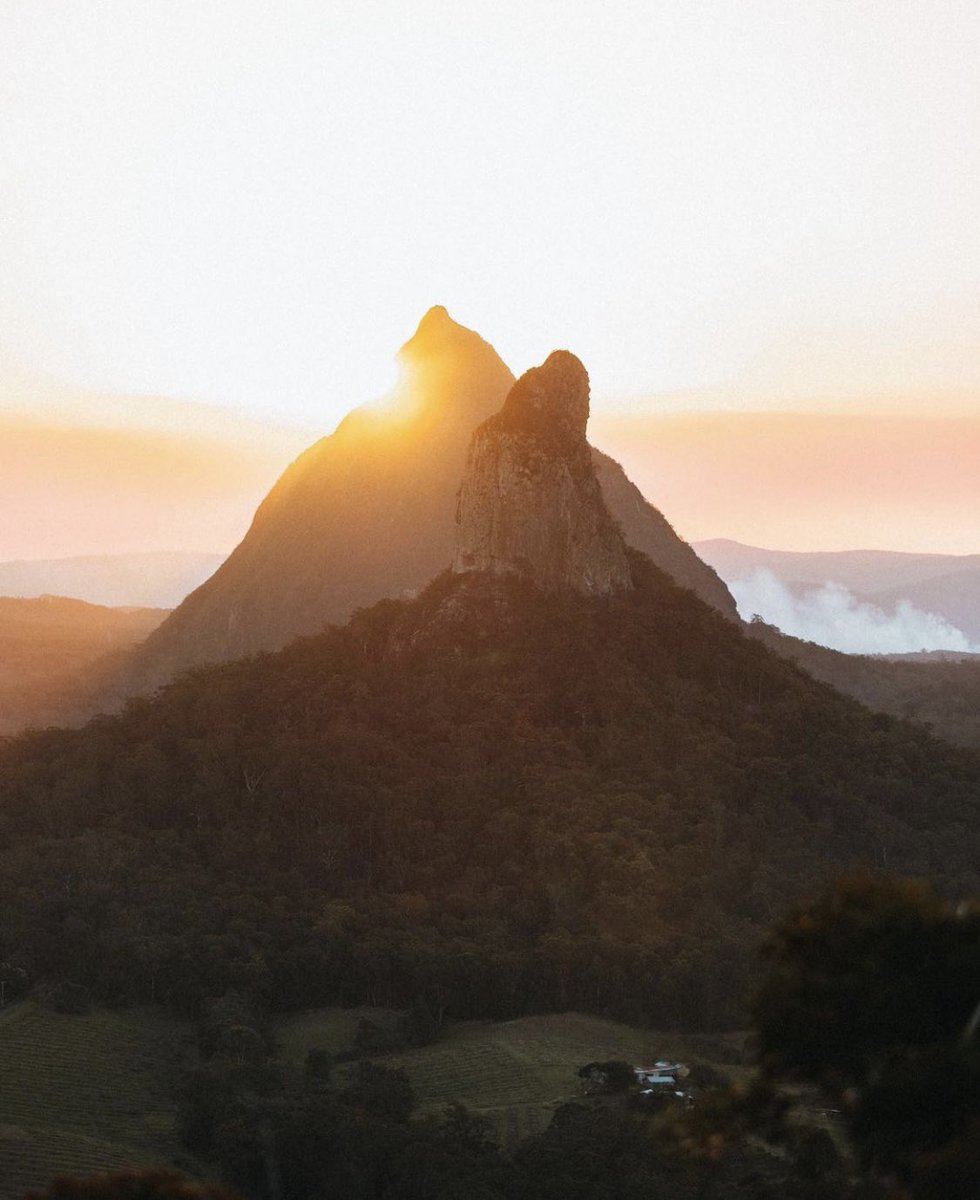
808,481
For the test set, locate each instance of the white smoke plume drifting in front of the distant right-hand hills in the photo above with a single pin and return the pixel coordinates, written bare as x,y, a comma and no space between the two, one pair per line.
833,616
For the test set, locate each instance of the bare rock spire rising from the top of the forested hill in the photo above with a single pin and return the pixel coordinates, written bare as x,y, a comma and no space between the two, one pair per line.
530,502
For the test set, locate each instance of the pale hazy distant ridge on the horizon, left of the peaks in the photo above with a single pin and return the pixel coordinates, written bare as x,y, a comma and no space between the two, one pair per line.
145,581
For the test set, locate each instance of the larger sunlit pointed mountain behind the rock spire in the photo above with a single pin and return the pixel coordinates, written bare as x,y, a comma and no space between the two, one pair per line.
370,513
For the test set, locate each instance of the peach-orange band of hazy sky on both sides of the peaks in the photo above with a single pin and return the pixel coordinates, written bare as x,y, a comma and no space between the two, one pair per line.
784,481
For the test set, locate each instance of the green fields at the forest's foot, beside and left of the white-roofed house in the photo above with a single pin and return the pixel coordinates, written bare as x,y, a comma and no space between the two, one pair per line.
513,1073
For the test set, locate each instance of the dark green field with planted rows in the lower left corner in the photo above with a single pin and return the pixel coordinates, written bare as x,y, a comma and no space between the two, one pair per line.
87,1094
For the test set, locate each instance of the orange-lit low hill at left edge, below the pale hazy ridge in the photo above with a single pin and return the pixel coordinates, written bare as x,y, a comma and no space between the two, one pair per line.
55,653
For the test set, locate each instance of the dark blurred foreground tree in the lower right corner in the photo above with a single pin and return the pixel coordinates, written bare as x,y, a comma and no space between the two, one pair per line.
873,995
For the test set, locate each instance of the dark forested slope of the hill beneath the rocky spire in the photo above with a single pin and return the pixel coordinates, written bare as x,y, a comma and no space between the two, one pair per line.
489,799
